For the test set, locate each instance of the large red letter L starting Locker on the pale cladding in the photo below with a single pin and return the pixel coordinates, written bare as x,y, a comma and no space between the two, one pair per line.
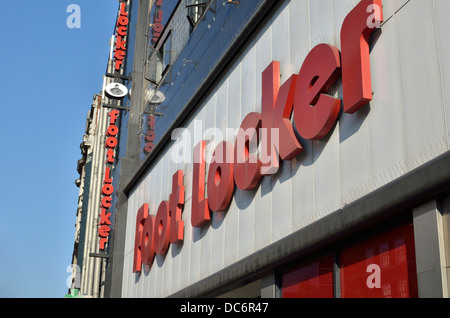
200,211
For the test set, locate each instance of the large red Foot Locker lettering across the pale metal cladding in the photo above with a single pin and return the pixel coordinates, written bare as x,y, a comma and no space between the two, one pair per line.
314,114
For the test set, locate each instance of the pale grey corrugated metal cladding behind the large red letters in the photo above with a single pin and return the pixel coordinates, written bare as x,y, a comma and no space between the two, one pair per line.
406,125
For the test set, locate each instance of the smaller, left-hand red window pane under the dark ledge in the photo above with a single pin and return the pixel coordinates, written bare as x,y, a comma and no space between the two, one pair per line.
314,280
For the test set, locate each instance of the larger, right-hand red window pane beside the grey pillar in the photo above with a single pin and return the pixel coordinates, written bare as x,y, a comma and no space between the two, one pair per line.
383,267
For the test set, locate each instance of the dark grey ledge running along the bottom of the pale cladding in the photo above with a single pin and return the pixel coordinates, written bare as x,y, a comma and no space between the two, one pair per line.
361,214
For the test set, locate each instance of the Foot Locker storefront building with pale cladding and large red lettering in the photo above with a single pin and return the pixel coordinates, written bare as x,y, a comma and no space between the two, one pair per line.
284,149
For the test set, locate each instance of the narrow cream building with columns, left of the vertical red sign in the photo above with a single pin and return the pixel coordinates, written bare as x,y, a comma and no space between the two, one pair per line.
87,271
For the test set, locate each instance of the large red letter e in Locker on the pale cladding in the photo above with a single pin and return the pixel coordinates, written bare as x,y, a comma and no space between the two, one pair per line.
315,112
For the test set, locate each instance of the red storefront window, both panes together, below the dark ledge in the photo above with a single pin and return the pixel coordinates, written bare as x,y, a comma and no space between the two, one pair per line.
383,266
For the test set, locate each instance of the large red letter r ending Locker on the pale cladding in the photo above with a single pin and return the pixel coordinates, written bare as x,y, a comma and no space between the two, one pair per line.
355,32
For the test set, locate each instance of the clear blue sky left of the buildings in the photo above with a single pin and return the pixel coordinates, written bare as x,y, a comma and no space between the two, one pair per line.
49,76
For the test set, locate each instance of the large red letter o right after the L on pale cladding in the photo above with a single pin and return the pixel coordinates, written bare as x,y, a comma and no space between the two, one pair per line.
220,177
